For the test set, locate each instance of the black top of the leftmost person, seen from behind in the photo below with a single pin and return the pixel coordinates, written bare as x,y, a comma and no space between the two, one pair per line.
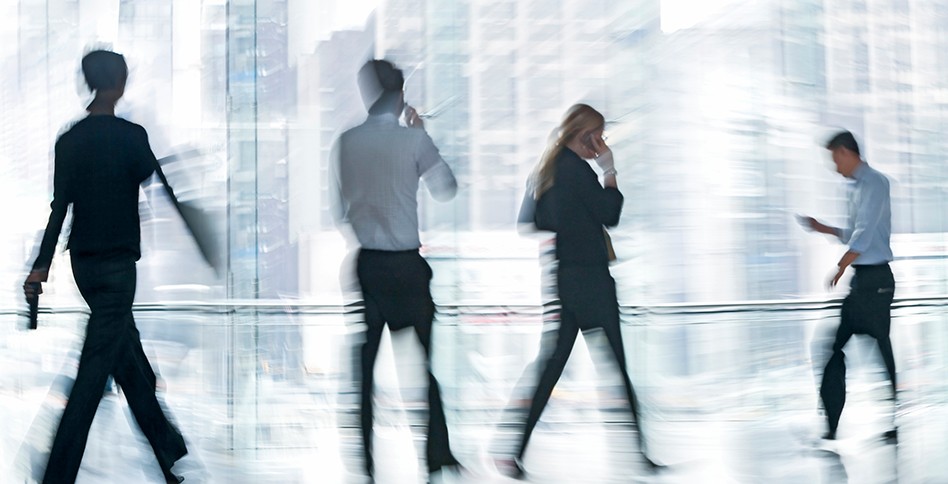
104,160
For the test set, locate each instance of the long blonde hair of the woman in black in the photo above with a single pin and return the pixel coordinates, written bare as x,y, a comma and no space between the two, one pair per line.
579,118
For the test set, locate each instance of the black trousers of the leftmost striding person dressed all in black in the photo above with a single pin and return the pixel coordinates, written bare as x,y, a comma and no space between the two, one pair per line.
112,347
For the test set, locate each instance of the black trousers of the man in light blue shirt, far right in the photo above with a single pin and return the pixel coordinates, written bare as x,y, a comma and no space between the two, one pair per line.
866,310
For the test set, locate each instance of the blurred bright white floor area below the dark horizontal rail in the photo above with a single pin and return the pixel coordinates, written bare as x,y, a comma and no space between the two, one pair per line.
268,397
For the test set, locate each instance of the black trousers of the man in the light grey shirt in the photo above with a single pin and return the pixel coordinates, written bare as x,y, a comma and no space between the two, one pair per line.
396,291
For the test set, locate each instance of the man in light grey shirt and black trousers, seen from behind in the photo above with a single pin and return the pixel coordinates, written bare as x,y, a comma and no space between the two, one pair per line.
378,165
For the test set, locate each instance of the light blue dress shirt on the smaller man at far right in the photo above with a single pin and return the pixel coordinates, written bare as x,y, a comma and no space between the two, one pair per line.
870,217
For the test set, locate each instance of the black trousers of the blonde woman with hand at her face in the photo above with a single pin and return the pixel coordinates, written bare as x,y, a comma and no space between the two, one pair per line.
588,299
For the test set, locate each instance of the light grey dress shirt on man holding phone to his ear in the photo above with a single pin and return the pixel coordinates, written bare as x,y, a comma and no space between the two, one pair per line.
377,166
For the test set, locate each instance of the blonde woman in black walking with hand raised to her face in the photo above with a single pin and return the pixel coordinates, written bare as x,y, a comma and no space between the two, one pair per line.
571,202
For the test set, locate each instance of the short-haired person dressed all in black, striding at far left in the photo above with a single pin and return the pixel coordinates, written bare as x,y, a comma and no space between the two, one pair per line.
100,163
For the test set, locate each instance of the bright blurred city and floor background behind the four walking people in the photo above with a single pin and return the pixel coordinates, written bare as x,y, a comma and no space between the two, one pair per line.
717,111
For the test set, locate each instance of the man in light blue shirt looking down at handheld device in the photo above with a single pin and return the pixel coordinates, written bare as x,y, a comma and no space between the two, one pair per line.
867,308
